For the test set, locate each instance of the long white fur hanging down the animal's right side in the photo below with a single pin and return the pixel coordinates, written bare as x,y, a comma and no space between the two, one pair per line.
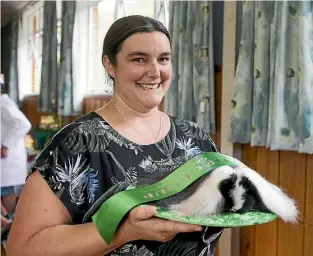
274,199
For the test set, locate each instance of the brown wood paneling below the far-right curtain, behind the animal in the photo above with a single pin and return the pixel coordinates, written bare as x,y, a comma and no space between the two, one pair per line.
294,173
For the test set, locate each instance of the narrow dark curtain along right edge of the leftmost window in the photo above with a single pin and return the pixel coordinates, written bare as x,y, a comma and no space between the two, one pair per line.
47,96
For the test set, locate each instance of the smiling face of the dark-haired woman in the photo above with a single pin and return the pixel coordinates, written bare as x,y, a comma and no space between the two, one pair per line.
143,70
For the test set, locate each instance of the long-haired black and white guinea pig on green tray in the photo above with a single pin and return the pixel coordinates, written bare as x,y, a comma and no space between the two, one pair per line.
228,189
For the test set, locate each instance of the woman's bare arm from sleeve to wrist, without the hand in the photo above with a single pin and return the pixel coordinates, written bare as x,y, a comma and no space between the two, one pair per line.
40,227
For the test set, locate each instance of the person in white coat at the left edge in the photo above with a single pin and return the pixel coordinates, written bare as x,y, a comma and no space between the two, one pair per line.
14,127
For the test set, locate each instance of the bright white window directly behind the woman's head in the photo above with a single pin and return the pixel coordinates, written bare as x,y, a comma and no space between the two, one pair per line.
101,17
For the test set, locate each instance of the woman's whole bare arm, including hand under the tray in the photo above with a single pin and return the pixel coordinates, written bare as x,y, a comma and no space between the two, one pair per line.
40,228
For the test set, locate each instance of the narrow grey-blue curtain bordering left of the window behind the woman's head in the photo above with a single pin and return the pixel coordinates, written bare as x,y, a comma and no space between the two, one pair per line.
65,79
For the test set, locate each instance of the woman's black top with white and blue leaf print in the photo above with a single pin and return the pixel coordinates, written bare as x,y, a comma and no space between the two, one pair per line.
87,161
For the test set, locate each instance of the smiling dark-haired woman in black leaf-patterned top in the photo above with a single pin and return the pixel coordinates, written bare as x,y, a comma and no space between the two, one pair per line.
125,143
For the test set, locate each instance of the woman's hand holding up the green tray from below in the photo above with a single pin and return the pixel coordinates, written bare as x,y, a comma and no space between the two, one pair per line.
141,225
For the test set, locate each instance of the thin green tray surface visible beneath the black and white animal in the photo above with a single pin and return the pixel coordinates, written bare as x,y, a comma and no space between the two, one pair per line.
220,220
